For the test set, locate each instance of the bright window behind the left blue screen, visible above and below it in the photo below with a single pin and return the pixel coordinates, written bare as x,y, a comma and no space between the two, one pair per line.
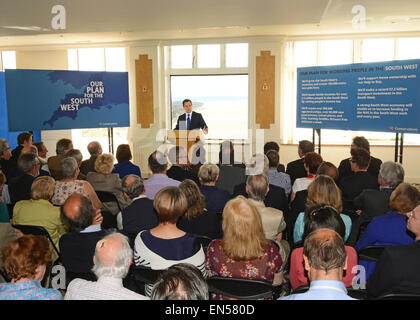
97,59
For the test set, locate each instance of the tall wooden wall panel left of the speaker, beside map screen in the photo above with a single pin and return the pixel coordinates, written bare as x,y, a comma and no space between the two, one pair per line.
144,91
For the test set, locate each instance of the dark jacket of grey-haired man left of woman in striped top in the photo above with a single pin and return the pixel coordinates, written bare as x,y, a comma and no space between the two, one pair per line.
139,215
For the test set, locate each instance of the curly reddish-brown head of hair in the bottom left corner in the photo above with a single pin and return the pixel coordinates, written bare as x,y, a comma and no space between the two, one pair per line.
26,258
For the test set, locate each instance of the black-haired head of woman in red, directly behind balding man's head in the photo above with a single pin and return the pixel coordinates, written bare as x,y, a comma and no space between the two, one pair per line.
323,216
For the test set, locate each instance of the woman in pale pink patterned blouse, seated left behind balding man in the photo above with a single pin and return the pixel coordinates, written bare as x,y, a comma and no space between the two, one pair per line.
69,185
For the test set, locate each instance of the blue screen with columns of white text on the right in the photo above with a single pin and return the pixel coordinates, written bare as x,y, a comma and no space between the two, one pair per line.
380,96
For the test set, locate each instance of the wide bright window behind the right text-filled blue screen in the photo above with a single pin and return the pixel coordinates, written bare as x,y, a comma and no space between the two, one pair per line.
333,52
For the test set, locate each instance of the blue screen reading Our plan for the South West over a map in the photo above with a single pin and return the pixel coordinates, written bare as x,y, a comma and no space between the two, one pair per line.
53,100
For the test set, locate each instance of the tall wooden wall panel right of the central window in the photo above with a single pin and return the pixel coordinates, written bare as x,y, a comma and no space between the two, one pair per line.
264,93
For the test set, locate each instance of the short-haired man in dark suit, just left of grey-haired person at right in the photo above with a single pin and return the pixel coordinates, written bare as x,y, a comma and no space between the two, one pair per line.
352,186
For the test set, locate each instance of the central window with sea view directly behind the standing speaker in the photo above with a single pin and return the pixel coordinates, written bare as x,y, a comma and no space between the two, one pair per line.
215,78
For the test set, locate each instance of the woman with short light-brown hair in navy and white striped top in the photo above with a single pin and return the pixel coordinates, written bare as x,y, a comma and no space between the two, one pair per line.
165,245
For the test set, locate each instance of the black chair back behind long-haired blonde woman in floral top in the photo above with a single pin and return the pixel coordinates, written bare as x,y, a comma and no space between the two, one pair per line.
245,289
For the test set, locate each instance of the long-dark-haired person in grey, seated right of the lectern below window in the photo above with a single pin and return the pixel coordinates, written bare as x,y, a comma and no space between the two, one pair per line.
230,173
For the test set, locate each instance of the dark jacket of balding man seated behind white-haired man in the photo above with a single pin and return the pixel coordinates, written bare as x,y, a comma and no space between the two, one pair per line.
77,250
